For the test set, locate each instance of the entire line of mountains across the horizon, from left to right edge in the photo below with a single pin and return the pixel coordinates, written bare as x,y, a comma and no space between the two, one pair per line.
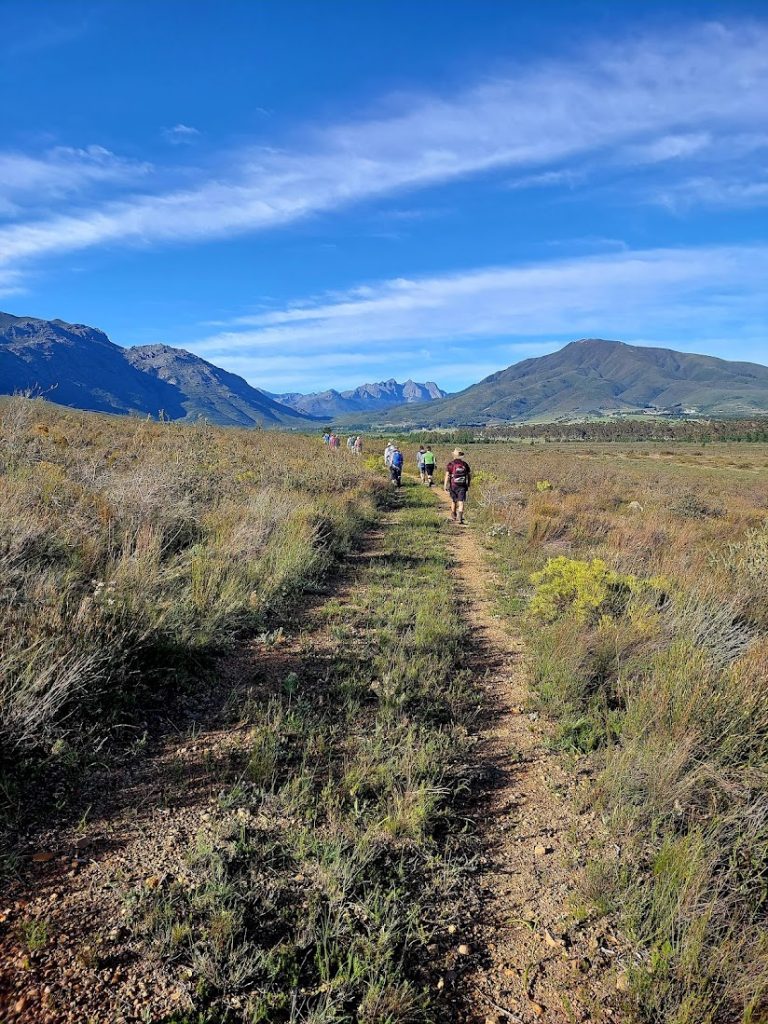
78,366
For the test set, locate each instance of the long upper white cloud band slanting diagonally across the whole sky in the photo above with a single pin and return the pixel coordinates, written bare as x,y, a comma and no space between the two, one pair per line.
697,84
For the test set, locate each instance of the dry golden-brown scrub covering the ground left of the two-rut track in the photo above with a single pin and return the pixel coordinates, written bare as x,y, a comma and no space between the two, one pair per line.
132,550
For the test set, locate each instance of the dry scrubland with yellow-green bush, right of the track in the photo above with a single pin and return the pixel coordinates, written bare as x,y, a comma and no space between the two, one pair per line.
638,576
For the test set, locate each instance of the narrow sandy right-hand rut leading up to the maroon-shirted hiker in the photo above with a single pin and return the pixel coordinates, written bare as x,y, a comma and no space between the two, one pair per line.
535,964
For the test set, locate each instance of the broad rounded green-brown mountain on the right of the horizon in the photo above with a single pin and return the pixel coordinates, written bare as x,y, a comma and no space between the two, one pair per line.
595,377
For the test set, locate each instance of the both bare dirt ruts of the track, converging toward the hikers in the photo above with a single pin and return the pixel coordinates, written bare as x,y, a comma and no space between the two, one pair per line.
525,960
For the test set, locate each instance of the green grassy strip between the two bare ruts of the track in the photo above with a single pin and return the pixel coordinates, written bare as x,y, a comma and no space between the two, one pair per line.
335,860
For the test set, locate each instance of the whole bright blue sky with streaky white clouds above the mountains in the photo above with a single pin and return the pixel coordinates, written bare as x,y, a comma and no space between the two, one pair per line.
323,193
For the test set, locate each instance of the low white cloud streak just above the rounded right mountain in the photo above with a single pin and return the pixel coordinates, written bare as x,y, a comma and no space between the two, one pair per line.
692,293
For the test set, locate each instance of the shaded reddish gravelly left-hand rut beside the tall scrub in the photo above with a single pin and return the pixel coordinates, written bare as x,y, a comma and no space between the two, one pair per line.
66,956
